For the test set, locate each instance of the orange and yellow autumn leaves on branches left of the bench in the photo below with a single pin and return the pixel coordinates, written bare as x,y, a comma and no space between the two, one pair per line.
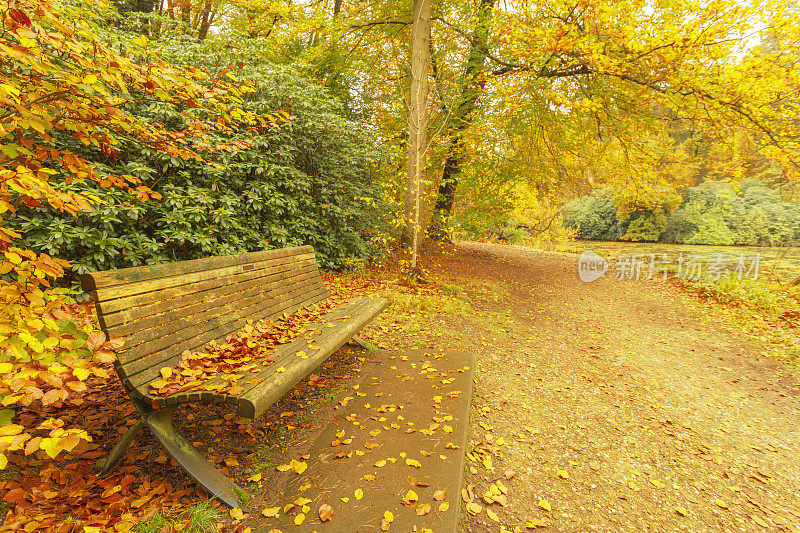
59,82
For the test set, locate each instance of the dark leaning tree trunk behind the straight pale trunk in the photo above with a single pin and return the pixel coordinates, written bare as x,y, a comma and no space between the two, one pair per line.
473,85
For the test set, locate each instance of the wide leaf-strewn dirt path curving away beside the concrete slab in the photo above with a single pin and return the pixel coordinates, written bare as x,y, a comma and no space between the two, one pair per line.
619,409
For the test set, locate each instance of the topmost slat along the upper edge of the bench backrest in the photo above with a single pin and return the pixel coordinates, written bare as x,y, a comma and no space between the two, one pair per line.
108,278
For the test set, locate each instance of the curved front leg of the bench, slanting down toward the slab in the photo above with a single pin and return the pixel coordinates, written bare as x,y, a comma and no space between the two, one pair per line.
214,481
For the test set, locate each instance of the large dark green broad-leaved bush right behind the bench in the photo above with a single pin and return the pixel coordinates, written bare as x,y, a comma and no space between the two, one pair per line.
306,182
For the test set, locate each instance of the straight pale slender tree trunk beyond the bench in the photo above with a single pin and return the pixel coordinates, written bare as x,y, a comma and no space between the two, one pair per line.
417,126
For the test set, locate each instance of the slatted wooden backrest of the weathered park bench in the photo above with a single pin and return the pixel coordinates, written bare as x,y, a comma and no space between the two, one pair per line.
162,310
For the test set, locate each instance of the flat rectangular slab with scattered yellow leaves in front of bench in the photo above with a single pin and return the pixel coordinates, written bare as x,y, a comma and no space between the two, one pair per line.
401,426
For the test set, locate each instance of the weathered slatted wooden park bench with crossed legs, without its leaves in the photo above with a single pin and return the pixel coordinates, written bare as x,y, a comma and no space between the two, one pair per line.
163,310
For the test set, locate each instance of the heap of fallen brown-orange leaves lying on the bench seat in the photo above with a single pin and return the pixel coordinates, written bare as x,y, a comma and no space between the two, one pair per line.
244,353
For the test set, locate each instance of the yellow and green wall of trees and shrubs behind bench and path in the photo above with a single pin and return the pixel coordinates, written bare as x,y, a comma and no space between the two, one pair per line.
138,131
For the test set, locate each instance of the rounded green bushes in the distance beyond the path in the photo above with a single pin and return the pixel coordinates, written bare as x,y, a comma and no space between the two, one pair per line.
714,213
